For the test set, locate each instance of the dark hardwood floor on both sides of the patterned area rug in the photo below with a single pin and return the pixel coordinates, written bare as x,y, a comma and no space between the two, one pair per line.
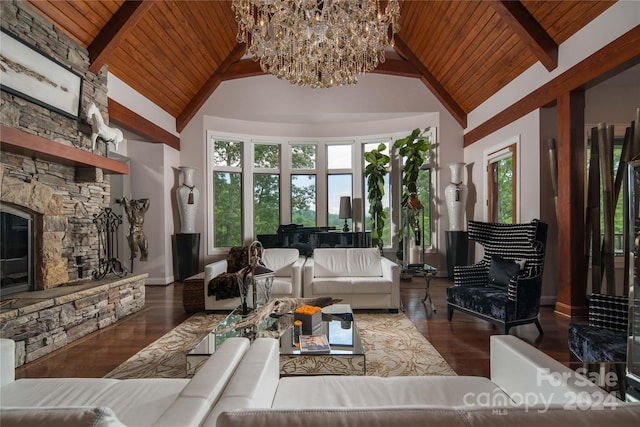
463,342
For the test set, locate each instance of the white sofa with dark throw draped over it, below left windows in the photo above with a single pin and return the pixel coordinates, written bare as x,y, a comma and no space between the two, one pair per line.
285,262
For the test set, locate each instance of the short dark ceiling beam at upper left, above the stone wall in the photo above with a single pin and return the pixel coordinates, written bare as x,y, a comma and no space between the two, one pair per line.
115,31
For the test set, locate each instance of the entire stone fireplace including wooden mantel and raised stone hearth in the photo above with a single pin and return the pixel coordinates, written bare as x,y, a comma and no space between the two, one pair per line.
50,171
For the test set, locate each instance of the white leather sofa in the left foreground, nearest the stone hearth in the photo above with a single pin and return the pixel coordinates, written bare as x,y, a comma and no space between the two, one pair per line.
74,402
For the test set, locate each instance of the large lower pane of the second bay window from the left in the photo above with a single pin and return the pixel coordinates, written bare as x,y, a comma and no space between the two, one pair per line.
266,203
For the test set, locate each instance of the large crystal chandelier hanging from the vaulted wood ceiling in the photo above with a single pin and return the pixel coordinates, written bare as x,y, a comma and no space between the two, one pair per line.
317,43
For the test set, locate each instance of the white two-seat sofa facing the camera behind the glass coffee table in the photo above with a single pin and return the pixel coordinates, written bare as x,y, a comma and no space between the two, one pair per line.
359,276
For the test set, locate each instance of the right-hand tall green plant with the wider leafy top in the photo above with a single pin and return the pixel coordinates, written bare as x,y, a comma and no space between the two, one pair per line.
414,148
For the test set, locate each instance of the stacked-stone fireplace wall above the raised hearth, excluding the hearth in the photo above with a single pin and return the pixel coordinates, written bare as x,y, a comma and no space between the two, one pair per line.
61,195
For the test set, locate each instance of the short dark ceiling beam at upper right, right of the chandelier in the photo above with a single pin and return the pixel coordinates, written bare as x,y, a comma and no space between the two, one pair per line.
521,22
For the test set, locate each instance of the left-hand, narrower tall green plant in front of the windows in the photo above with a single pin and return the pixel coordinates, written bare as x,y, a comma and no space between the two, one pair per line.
374,172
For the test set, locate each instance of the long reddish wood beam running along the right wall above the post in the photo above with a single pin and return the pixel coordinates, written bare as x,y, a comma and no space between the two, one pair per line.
618,55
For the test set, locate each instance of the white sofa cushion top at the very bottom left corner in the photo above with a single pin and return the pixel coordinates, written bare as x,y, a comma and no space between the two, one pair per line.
59,417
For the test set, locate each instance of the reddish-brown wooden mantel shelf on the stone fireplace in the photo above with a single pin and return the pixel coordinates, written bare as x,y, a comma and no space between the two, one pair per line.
20,142
